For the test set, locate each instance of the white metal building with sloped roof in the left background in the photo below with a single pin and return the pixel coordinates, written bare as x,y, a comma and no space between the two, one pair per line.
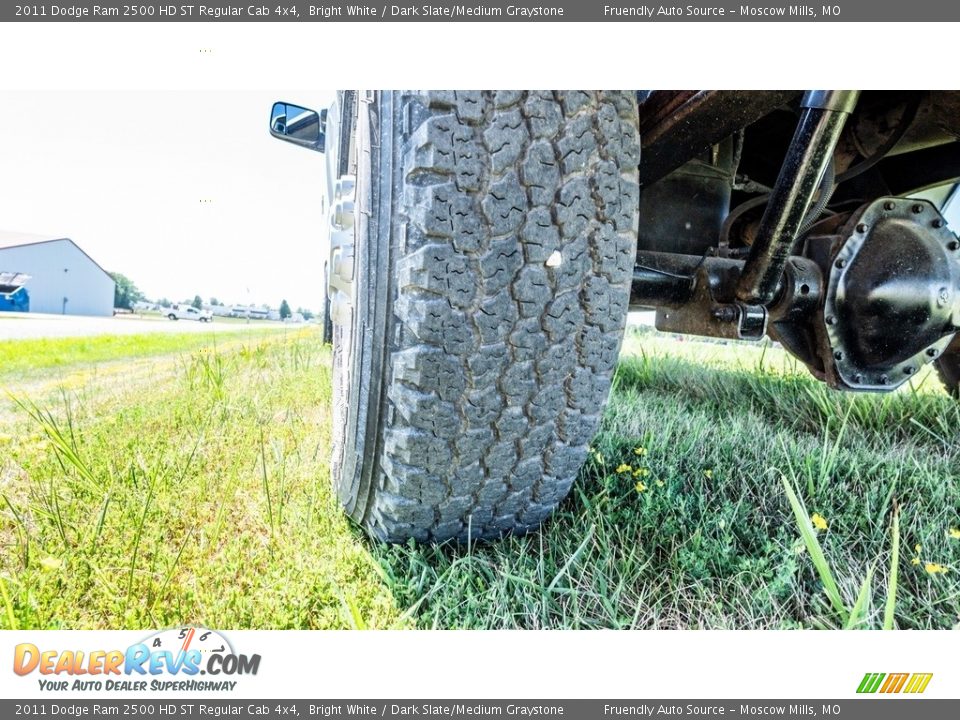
64,279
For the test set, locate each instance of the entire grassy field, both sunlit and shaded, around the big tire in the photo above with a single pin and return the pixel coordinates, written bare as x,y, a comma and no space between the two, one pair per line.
150,481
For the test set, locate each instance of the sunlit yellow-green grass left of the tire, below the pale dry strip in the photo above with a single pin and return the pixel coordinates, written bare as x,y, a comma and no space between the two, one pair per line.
199,497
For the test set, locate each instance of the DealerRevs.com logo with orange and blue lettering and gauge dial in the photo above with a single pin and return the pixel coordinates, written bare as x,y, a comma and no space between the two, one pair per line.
181,659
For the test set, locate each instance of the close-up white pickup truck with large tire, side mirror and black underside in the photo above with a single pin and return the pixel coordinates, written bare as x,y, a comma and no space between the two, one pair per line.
484,248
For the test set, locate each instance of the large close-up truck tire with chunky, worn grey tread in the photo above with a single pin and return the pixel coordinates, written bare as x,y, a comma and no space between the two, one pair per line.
482,305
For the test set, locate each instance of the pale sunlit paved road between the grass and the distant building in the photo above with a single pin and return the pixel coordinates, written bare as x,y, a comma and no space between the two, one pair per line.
21,326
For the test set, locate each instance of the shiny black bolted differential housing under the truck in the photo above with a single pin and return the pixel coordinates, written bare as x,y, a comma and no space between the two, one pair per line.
892,294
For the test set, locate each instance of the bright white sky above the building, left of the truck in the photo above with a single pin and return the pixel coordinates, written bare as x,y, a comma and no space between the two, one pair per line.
185,193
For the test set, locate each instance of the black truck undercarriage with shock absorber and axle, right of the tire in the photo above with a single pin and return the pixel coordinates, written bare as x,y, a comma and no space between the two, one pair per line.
813,218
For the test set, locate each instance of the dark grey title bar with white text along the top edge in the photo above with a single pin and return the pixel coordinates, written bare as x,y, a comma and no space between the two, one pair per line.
518,11
